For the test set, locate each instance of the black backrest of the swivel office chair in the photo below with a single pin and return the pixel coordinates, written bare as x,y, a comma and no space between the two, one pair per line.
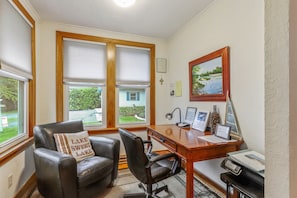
136,157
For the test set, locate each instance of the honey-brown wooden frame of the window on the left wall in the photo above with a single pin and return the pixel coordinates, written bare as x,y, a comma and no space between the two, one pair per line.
17,145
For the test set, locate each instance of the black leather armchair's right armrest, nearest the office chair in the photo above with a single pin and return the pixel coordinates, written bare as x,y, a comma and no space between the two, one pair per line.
107,147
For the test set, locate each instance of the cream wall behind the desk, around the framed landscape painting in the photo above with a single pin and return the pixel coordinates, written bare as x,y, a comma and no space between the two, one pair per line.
239,25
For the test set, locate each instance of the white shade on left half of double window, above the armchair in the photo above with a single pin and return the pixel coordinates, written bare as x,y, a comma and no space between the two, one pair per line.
84,61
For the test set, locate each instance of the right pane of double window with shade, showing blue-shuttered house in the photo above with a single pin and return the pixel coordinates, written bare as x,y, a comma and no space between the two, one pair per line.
133,80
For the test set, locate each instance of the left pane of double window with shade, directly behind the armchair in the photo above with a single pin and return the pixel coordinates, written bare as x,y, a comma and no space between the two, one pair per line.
84,81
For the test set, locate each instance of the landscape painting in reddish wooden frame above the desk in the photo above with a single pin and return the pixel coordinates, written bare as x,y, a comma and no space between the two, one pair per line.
209,76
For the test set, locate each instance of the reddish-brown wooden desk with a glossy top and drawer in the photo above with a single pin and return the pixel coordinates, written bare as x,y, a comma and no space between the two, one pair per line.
184,142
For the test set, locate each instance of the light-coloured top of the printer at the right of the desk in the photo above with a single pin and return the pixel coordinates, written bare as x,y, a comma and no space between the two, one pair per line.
250,159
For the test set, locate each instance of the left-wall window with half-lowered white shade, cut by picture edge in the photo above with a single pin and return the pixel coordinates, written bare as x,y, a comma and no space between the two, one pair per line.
17,86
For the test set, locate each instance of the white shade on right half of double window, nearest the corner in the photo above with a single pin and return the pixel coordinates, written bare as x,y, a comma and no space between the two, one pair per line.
133,65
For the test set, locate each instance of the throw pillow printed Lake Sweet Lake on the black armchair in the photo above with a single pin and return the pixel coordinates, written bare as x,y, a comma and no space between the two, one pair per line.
76,144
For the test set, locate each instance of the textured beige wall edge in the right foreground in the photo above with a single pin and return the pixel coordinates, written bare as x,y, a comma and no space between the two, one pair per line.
280,98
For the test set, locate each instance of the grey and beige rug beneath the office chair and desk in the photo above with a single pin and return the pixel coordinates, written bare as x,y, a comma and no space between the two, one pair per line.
127,183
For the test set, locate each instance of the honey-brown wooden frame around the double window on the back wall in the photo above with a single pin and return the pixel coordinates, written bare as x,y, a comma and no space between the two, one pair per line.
111,95
